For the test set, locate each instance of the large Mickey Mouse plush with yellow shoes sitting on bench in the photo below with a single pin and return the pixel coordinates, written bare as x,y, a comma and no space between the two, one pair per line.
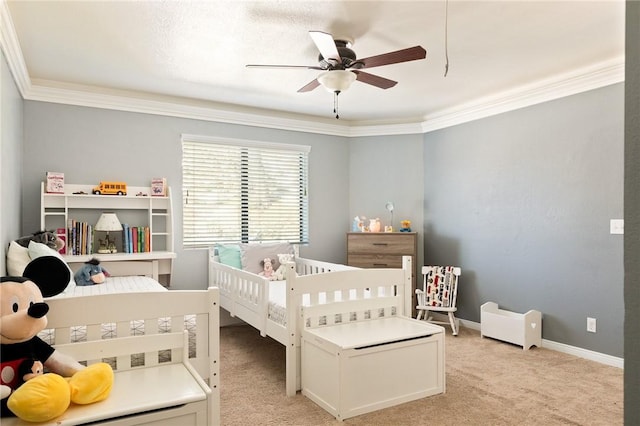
26,391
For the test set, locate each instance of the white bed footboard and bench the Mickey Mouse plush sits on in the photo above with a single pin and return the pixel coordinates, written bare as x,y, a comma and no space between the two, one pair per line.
183,391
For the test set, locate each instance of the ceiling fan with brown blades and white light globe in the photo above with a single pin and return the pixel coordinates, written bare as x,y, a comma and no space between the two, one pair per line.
342,67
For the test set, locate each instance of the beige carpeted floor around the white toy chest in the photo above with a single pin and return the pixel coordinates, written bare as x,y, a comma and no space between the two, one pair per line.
487,383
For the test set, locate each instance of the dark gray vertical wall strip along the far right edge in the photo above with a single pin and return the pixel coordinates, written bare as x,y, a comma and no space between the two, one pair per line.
632,217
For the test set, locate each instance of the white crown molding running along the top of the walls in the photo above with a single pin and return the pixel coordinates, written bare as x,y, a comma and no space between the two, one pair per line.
593,77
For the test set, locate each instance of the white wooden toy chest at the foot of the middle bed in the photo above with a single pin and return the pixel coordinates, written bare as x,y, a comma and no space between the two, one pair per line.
358,367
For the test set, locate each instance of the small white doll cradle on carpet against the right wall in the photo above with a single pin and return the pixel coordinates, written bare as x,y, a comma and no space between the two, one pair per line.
521,329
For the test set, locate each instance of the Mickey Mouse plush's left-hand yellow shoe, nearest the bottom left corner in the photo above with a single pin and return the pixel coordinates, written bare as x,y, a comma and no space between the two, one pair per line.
41,398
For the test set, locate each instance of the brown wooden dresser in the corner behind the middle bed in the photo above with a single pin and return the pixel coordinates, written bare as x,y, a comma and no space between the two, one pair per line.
383,250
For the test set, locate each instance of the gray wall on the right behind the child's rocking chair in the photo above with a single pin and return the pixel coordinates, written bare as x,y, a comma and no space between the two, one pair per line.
522,202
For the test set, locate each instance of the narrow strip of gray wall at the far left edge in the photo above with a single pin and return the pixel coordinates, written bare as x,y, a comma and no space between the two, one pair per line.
10,159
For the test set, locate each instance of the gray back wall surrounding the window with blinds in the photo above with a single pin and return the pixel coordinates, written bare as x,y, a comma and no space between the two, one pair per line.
90,144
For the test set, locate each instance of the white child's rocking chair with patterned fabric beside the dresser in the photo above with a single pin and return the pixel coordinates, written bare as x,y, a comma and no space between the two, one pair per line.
439,293
